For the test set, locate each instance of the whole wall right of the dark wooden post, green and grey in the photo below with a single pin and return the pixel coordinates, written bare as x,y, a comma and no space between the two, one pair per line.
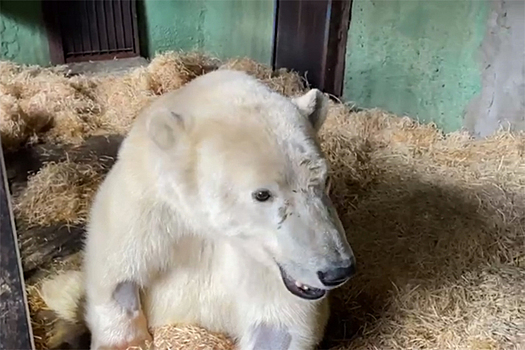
460,64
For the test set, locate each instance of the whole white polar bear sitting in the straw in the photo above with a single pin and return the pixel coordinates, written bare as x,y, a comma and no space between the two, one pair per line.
216,213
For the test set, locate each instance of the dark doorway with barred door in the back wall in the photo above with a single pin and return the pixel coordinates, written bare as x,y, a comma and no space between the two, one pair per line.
84,30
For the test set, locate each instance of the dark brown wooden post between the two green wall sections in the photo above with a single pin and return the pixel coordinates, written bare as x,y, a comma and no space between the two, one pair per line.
310,38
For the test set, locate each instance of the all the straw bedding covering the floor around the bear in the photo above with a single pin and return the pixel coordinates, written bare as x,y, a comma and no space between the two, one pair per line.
437,221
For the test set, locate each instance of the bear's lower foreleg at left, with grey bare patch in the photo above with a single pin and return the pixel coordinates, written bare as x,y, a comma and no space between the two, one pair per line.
116,318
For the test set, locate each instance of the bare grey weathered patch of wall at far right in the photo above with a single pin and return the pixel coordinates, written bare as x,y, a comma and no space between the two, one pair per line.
502,98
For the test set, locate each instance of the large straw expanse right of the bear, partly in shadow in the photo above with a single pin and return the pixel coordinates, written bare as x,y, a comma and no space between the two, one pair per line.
438,226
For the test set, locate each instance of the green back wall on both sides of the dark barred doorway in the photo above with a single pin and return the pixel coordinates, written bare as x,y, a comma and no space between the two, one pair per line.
223,28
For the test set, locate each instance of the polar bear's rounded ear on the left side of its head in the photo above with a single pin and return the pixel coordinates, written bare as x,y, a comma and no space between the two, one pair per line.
164,127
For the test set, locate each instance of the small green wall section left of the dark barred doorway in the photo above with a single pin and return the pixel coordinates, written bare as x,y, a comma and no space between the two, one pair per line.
22,35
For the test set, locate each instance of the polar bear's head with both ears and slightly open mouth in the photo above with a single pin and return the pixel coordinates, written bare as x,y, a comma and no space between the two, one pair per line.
241,162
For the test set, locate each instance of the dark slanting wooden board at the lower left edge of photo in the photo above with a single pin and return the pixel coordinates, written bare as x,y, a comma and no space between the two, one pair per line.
15,324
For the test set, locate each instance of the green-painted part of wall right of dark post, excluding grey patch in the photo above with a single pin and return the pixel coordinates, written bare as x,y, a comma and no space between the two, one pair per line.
419,57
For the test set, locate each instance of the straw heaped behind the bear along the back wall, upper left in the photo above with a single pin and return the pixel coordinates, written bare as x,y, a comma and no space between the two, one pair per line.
45,105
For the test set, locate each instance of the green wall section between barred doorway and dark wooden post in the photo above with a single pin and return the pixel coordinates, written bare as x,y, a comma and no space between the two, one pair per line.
223,28
